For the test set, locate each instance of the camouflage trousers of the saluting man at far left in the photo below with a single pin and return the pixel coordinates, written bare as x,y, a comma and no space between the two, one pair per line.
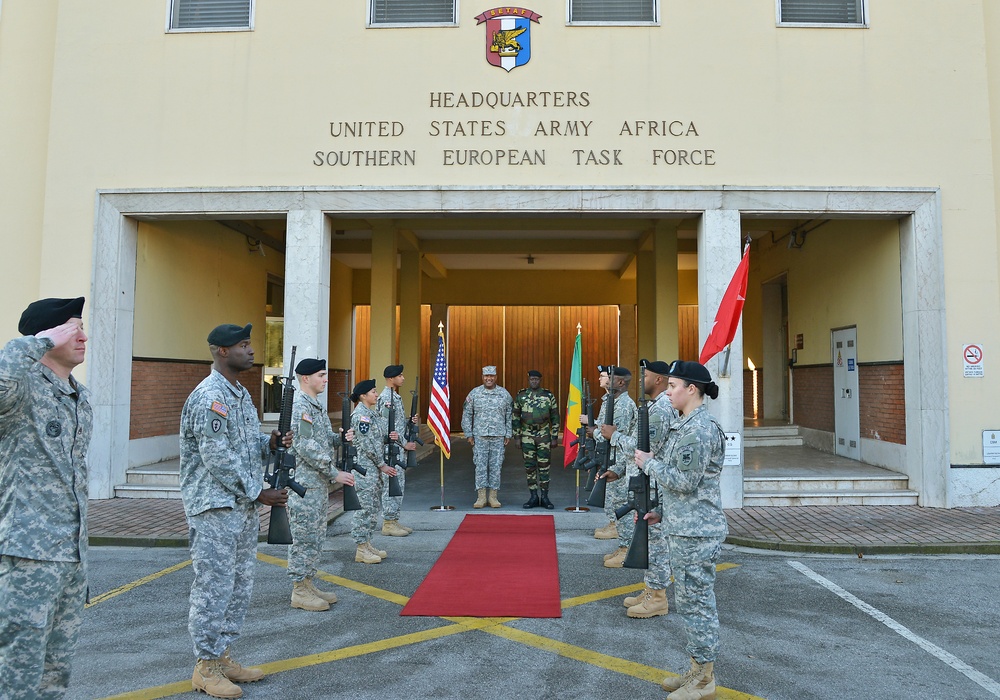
42,604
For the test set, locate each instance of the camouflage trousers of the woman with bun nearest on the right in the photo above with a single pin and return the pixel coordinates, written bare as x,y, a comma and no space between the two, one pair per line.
692,560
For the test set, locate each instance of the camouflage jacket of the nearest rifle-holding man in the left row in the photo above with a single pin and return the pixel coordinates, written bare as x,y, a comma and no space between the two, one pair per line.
222,448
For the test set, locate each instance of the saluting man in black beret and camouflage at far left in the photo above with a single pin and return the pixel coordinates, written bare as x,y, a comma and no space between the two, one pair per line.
45,428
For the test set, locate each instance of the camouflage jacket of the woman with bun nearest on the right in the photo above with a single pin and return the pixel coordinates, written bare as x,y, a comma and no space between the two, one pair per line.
688,474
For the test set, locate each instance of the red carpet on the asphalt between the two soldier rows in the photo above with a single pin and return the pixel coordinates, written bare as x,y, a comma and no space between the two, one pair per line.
494,566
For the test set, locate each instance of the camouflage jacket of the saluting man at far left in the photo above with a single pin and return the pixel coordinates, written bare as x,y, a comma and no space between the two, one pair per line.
45,429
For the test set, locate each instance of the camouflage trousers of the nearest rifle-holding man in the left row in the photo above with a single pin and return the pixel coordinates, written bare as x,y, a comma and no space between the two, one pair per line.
223,555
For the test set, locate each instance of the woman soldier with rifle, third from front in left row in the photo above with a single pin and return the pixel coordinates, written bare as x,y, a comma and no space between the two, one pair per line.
370,430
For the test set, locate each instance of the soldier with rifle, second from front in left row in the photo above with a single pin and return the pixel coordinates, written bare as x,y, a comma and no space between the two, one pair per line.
314,451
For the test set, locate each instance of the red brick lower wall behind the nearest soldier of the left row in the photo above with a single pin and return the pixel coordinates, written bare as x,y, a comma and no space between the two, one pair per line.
160,388
